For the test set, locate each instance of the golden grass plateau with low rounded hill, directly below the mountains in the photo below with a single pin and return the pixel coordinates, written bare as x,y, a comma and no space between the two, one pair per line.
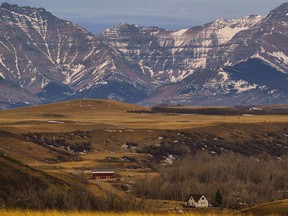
98,114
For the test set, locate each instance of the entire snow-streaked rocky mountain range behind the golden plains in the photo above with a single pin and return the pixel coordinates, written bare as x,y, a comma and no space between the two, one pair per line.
239,61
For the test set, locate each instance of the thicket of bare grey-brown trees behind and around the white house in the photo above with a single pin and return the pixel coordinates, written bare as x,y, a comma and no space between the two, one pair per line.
242,181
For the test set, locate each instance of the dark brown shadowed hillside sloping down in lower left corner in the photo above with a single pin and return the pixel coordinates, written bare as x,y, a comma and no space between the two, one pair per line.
25,187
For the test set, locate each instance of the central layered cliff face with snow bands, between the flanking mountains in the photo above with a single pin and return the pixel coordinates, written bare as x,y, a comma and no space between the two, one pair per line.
170,56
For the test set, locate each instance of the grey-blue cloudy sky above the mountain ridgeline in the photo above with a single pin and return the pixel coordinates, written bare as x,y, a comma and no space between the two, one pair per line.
97,15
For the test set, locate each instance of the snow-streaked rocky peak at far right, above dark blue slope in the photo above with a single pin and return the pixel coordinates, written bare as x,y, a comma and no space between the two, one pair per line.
267,40
